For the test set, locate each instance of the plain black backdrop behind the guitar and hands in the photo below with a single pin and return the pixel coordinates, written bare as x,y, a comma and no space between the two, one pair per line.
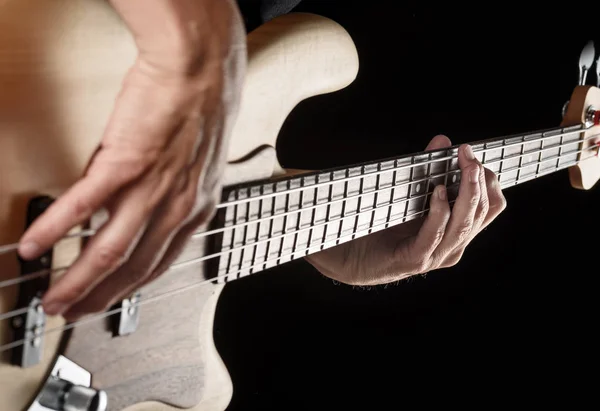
514,322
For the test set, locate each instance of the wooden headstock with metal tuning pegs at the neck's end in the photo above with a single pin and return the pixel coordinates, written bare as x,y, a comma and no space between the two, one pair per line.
584,108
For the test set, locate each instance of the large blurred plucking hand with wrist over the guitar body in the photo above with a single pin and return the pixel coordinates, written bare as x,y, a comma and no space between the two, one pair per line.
158,168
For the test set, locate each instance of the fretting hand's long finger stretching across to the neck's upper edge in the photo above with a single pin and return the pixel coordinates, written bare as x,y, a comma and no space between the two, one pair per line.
462,218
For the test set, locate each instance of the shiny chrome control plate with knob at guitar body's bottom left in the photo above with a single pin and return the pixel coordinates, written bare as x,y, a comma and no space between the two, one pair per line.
68,388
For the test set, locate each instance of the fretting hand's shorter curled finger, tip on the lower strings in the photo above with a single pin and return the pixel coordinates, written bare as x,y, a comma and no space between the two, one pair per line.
430,235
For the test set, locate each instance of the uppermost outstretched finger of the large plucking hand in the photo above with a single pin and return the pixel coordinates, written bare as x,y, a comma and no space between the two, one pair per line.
78,204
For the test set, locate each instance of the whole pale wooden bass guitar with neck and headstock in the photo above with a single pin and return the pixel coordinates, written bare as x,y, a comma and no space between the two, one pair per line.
155,351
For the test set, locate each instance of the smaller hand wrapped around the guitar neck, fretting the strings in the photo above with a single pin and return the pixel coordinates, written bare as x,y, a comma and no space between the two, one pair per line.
425,244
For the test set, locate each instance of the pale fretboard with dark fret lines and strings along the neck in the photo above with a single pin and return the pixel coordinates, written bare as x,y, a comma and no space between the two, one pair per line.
268,223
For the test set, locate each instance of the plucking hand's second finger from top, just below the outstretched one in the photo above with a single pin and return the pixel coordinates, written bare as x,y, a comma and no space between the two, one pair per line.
106,250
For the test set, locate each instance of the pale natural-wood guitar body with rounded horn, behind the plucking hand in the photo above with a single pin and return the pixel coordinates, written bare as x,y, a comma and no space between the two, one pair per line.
61,66
